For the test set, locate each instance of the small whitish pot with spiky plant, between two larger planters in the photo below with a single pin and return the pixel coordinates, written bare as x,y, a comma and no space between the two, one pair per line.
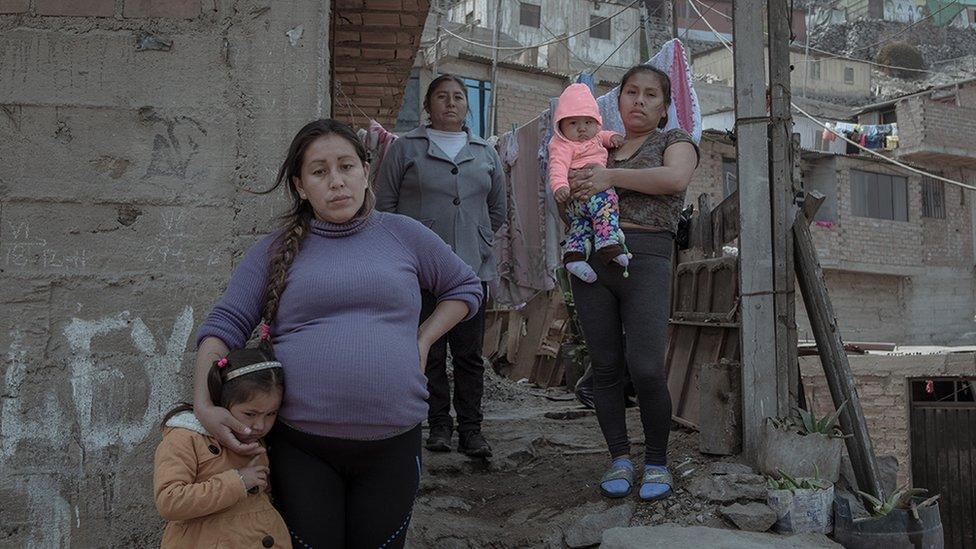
801,504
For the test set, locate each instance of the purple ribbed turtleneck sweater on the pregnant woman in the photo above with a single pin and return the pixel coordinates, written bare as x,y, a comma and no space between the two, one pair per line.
346,329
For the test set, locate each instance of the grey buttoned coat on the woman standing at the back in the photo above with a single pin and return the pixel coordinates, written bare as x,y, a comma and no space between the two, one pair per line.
463,200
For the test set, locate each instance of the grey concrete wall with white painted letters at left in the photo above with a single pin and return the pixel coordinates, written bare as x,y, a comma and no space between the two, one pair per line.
129,130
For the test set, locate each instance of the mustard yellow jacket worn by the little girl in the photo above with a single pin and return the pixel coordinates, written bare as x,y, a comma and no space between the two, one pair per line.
198,491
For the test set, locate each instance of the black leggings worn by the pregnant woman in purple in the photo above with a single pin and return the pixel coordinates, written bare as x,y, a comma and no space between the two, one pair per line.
336,493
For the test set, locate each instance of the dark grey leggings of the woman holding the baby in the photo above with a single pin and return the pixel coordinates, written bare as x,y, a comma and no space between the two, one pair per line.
637,306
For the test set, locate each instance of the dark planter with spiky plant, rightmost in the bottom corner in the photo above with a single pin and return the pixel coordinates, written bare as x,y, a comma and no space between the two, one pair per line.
903,521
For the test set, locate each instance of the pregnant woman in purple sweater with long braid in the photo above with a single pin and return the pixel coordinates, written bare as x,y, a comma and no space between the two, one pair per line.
345,283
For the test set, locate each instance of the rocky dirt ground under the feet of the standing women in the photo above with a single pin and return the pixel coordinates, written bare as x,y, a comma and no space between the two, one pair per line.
540,488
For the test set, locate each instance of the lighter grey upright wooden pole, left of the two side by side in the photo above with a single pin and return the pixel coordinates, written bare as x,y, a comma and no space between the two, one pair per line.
760,395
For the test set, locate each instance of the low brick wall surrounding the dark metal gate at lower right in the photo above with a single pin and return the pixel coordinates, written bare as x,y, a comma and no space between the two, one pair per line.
882,385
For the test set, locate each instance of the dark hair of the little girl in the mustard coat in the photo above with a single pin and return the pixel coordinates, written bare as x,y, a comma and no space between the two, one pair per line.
239,389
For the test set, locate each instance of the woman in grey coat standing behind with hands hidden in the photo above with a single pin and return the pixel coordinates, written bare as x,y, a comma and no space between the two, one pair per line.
452,182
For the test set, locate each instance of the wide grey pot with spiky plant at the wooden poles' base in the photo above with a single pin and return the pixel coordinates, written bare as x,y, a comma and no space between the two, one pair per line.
802,445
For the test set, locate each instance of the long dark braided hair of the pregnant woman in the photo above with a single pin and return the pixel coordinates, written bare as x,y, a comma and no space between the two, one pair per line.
296,220
